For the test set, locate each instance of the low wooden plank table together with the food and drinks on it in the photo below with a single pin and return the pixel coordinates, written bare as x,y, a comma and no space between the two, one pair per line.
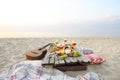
65,58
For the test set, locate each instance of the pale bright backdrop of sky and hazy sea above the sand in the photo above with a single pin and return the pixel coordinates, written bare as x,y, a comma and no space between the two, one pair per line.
59,18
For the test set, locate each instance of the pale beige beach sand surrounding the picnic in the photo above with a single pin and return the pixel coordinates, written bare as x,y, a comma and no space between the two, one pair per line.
12,50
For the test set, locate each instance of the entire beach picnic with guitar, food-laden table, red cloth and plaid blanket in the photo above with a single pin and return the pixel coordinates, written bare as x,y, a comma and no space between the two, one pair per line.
52,60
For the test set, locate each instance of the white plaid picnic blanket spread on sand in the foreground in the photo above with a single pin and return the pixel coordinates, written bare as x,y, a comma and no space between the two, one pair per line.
33,70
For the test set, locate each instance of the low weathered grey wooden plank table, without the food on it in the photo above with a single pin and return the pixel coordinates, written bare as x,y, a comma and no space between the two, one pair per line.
69,64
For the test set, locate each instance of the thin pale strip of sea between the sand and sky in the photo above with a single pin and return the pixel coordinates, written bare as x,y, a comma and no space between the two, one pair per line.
47,35
